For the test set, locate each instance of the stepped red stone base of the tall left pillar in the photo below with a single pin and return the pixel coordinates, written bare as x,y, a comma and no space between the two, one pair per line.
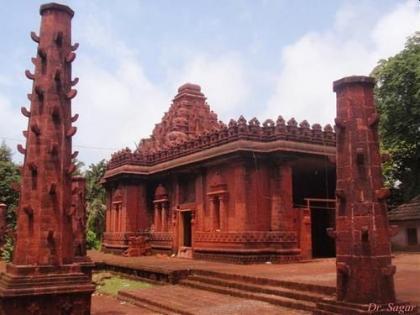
46,290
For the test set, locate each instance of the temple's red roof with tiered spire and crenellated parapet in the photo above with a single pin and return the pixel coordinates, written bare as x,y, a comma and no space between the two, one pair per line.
191,127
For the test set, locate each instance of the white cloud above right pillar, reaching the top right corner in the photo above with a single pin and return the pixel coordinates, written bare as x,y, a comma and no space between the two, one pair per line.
352,47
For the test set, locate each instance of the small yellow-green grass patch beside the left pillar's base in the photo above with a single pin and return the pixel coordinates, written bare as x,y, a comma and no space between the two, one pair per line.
110,284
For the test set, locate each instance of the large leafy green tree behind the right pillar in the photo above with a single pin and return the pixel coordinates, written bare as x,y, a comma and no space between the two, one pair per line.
398,99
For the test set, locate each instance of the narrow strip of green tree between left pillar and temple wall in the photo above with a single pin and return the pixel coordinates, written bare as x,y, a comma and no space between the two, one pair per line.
95,199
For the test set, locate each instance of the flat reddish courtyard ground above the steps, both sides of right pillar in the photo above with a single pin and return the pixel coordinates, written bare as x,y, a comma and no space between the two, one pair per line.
317,271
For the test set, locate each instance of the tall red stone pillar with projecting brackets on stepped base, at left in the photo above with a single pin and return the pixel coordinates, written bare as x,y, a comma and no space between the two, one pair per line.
43,277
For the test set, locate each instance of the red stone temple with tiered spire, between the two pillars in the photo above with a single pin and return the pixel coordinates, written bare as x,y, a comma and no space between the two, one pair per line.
243,192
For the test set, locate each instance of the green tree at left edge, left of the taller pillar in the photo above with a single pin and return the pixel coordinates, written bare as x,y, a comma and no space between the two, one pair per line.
9,181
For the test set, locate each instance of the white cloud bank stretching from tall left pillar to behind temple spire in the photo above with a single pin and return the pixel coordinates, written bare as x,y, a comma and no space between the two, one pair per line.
119,104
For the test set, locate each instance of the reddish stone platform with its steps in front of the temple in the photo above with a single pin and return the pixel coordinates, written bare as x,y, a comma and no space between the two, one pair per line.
291,287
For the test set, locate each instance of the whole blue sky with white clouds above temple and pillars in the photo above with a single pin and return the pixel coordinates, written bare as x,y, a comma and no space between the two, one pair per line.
256,58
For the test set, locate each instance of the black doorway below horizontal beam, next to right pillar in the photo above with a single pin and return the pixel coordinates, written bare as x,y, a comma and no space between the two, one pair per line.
322,244
